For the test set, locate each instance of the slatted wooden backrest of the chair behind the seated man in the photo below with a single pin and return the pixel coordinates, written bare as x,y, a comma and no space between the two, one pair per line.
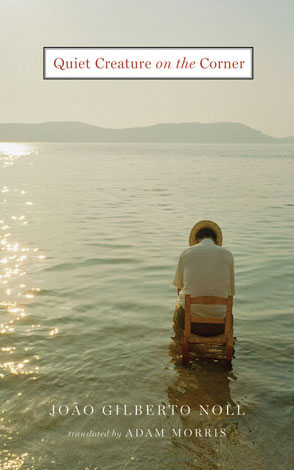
208,300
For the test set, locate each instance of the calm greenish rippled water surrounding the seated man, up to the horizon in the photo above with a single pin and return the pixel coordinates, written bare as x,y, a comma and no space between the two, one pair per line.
90,238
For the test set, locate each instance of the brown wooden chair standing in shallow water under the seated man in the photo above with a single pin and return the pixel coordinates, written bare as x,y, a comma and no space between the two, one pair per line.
226,338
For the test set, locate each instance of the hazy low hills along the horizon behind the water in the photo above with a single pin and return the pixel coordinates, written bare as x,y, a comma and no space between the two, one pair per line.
188,132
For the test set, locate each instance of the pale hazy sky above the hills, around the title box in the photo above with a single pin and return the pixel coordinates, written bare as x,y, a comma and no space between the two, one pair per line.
265,103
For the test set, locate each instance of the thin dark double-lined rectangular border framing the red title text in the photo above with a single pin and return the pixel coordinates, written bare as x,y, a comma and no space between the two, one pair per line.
149,47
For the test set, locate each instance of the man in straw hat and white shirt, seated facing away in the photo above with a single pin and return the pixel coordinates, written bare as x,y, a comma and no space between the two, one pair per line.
204,269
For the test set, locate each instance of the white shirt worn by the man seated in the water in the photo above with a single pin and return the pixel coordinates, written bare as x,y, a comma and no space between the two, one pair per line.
205,269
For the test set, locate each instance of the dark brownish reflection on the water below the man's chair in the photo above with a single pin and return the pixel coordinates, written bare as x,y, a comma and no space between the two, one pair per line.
206,382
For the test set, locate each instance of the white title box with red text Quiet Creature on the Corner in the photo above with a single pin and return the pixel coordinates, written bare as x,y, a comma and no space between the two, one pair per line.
145,63
